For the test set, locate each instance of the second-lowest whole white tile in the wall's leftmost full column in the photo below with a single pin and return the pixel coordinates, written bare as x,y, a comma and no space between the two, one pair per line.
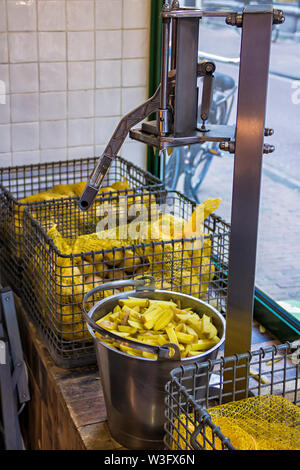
25,107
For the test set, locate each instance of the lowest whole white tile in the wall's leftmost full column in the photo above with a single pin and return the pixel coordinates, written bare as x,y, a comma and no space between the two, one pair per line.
25,136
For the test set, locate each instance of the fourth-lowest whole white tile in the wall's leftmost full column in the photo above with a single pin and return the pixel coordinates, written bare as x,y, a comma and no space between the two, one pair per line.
22,47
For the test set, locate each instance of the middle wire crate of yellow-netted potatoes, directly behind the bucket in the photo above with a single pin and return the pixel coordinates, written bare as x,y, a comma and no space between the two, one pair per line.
67,253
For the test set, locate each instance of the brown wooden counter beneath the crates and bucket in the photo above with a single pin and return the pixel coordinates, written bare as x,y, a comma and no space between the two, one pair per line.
67,409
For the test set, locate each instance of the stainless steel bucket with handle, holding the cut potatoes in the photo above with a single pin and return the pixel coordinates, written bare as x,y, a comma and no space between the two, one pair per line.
134,387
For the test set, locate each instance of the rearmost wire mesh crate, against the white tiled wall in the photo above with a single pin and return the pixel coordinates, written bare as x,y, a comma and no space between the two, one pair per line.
17,183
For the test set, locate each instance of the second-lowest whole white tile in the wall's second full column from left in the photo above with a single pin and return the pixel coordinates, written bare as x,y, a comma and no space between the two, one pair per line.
53,106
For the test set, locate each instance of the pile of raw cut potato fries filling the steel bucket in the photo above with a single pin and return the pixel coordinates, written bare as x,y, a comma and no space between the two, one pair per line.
158,322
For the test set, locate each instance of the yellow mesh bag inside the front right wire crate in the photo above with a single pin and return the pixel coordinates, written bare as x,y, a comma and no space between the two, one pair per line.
266,422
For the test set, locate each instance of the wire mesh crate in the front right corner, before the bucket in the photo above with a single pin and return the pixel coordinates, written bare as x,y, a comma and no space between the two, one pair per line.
245,402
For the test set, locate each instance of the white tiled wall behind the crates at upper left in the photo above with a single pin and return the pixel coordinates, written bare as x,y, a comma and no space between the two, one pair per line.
69,70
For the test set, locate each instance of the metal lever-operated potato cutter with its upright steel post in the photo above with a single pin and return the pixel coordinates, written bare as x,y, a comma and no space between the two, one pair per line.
175,103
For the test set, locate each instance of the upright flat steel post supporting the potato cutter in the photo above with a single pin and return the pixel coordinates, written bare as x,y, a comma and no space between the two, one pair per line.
249,140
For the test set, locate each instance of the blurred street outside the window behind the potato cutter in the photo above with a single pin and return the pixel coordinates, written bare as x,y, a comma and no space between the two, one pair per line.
278,267
